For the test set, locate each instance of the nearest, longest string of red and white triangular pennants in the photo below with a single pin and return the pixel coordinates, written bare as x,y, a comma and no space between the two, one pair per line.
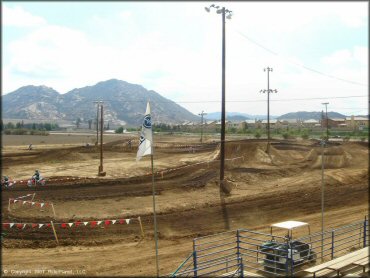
65,225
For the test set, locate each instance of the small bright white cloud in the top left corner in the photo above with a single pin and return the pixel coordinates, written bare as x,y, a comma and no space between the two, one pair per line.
18,17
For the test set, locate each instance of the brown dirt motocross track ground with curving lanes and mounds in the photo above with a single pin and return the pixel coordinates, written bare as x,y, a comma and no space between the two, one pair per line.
261,189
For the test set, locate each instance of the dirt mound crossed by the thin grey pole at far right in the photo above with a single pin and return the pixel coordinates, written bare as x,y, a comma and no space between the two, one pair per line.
334,157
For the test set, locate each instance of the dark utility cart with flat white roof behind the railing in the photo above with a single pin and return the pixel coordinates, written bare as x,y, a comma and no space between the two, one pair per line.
282,256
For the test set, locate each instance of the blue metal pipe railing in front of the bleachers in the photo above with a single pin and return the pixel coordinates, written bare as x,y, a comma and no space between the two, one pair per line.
229,254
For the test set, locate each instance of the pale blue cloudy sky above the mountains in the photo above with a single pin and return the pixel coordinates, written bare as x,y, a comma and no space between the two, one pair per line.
174,48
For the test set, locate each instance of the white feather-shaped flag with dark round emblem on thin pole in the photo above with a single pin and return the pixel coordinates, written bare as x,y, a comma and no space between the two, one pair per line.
145,143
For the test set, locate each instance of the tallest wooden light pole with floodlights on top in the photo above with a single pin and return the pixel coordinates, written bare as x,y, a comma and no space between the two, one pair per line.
222,11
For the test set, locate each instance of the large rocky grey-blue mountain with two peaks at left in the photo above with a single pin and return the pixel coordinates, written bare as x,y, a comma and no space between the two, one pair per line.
124,103
